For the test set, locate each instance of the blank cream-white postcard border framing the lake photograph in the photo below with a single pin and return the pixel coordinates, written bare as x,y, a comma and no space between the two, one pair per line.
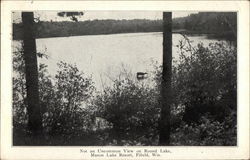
242,7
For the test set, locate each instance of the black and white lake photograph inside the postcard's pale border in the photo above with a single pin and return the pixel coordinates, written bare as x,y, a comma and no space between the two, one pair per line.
124,78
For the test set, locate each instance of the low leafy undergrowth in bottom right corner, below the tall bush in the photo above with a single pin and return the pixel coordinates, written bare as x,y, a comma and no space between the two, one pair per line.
209,132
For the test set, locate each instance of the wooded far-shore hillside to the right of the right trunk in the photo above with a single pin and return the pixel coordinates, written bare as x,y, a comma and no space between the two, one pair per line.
220,24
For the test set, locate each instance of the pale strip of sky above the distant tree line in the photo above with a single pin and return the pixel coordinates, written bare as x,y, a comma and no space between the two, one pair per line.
91,15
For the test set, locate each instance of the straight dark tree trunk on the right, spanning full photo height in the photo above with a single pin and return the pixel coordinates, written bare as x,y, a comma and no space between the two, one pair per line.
166,79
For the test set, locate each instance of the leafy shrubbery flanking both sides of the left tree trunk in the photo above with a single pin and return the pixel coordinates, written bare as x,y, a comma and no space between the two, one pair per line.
63,101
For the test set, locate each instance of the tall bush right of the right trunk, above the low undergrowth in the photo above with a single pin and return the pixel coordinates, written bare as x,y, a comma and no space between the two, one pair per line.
206,80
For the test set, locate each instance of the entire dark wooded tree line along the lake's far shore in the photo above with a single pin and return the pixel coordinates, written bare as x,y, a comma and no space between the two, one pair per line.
221,24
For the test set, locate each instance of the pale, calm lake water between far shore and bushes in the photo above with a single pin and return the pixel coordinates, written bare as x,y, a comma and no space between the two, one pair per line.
106,57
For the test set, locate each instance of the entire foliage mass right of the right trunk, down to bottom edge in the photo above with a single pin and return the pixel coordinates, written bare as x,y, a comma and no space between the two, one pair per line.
205,89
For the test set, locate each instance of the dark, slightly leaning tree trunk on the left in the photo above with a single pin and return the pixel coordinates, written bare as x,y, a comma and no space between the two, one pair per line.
31,73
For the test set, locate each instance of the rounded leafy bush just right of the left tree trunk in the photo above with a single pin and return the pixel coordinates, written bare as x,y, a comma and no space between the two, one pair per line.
65,112
